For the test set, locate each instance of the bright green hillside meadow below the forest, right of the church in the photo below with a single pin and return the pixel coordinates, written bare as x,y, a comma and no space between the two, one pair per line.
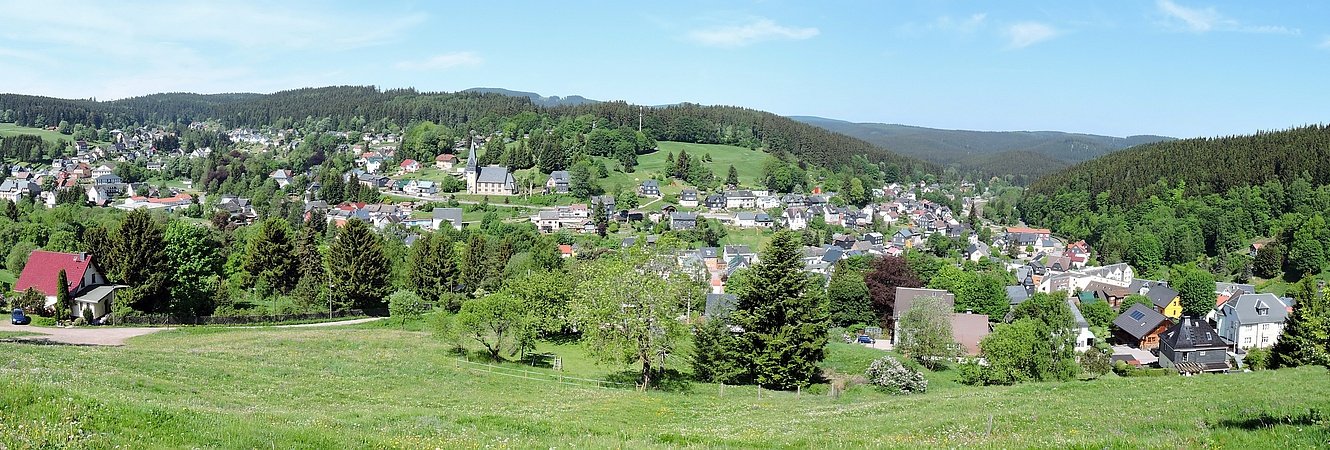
747,163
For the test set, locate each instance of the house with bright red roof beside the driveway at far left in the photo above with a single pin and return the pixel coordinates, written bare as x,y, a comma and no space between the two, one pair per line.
87,287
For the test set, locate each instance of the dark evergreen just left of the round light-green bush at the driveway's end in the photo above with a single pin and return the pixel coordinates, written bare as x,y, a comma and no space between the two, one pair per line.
358,267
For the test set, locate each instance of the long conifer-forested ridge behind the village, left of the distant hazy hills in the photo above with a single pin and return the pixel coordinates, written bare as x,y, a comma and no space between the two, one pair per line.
349,107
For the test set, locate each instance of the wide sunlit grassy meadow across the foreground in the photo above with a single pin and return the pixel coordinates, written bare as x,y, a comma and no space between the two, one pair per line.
380,387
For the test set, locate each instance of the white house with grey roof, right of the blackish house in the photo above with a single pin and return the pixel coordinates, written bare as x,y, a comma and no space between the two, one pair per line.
1250,322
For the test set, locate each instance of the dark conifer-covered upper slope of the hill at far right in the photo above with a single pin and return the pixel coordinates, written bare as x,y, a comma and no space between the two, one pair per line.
1204,166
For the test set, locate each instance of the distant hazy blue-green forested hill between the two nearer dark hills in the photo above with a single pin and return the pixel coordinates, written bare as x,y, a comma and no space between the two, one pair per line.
992,154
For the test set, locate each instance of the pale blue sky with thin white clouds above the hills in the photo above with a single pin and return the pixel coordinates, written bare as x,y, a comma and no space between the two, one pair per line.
1167,67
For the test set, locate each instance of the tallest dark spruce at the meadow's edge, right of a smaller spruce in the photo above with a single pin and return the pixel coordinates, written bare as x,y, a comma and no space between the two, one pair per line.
784,318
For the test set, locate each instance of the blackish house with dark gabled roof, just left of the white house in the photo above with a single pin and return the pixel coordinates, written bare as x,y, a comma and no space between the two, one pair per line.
1194,347
